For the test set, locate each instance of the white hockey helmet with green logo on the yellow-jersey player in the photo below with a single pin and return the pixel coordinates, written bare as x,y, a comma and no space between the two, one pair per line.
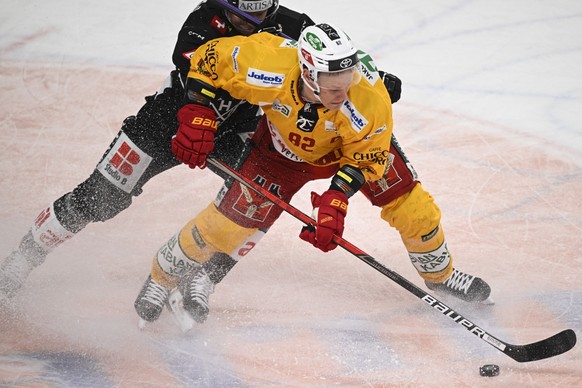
326,48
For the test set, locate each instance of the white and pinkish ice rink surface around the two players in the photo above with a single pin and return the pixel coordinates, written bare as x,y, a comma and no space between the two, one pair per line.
490,117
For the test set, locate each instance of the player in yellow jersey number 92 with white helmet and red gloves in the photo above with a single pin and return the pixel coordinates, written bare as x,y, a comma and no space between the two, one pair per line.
327,114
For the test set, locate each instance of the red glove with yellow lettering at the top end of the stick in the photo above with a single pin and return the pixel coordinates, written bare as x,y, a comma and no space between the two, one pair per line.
195,137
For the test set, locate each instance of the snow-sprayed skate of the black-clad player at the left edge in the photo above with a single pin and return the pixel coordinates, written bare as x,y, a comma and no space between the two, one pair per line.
15,268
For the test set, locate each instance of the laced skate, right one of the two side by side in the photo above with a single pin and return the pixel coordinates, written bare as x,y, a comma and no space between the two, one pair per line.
196,288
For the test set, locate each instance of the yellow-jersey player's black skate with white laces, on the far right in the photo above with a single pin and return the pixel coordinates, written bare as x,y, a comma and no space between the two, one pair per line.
465,287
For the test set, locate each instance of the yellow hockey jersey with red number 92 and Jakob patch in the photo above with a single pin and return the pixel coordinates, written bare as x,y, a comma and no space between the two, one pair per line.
263,69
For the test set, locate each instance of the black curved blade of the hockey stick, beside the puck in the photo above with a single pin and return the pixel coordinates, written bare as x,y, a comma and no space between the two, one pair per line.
546,348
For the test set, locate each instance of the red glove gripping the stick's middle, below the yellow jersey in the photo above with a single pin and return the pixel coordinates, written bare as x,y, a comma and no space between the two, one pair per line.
330,209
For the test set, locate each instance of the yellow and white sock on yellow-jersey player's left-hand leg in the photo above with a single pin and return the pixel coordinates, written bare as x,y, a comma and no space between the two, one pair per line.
209,235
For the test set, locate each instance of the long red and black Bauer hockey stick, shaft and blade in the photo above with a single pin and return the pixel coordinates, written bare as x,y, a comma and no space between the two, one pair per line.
546,348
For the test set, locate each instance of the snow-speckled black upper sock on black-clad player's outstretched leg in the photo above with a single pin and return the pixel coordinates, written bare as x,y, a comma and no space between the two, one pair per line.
95,199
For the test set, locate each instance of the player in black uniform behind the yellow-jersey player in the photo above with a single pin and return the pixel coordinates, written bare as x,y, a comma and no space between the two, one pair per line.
142,148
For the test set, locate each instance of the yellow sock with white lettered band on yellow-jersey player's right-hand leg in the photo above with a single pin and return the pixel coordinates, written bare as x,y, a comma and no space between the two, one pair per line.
417,219
